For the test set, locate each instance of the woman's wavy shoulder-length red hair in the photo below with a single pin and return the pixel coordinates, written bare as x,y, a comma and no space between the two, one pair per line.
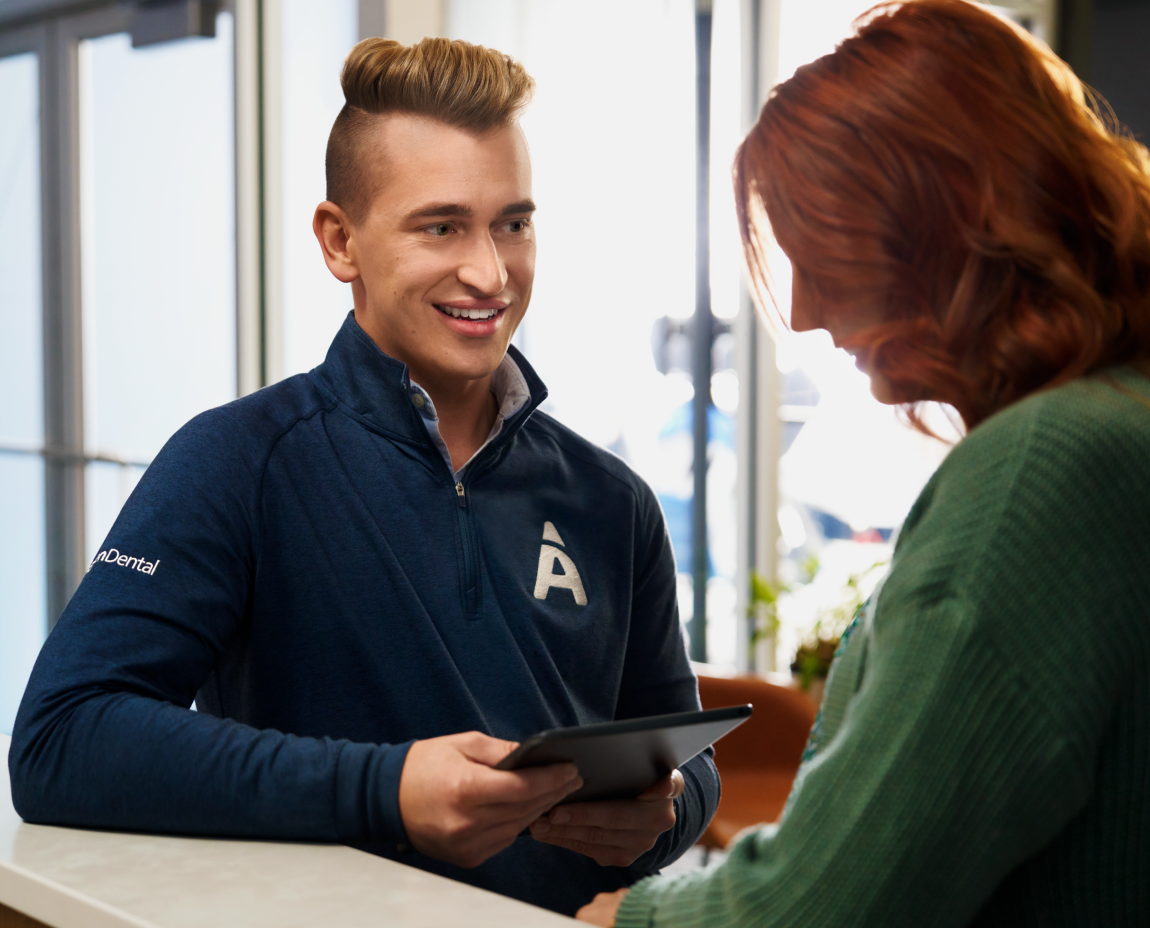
950,170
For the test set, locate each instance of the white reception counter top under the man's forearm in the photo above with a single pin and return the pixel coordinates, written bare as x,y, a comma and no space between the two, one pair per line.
68,878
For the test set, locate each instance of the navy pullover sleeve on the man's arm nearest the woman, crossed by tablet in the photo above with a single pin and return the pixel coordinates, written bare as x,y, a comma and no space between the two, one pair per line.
658,679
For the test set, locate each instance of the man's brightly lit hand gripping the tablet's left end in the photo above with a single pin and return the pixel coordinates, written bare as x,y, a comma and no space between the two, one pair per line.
459,810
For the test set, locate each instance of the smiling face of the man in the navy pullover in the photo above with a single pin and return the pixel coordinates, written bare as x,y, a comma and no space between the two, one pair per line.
447,251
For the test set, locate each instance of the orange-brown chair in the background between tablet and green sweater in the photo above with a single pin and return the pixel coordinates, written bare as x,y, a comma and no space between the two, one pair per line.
760,760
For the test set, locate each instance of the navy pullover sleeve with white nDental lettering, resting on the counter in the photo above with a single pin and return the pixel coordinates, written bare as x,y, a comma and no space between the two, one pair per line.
106,738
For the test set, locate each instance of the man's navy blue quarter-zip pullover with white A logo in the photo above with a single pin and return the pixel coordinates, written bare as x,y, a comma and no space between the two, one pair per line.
303,564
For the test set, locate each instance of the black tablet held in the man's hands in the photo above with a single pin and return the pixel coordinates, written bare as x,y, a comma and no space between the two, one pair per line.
618,761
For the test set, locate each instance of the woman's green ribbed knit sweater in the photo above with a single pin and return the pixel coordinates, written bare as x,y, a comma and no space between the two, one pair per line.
985,753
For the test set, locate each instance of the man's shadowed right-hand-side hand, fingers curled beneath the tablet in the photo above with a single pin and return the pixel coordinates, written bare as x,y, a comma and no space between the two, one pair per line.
616,833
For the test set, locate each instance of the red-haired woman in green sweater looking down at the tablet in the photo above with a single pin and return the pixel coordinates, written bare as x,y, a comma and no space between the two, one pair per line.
965,225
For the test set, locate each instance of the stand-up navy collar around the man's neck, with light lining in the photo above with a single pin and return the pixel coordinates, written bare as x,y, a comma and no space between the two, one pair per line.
379,390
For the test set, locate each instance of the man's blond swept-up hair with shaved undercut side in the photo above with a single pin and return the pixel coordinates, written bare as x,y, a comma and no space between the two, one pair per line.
463,86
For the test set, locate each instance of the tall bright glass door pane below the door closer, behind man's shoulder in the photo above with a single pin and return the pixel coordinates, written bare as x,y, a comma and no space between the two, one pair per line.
158,246
